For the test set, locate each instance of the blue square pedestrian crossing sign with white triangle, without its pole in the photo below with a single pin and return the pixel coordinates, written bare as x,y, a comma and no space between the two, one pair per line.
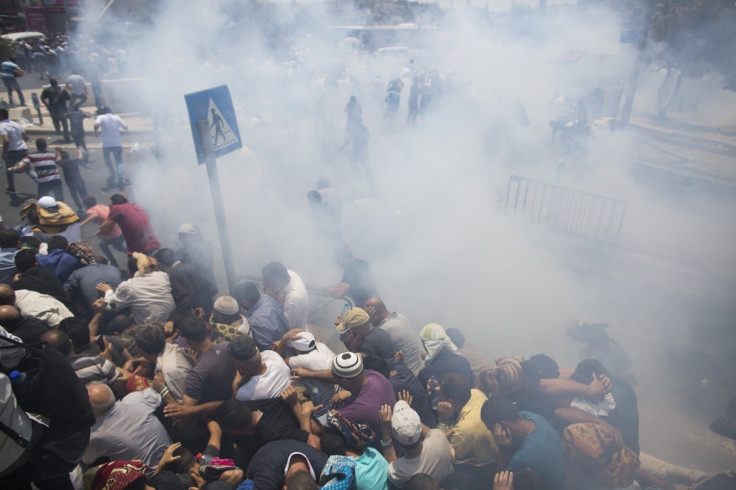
216,107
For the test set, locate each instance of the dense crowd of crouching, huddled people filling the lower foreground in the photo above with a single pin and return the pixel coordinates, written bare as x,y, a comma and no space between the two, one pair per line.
148,378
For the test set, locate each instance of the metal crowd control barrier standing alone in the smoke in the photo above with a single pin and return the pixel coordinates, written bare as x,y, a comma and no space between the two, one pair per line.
579,213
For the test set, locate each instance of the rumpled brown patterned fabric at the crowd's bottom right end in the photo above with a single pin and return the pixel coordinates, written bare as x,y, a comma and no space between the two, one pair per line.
591,448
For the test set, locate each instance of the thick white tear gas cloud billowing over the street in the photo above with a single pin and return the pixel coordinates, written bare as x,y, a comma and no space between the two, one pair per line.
441,248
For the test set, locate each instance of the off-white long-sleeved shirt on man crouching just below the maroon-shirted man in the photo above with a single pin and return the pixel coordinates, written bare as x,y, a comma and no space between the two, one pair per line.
148,295
